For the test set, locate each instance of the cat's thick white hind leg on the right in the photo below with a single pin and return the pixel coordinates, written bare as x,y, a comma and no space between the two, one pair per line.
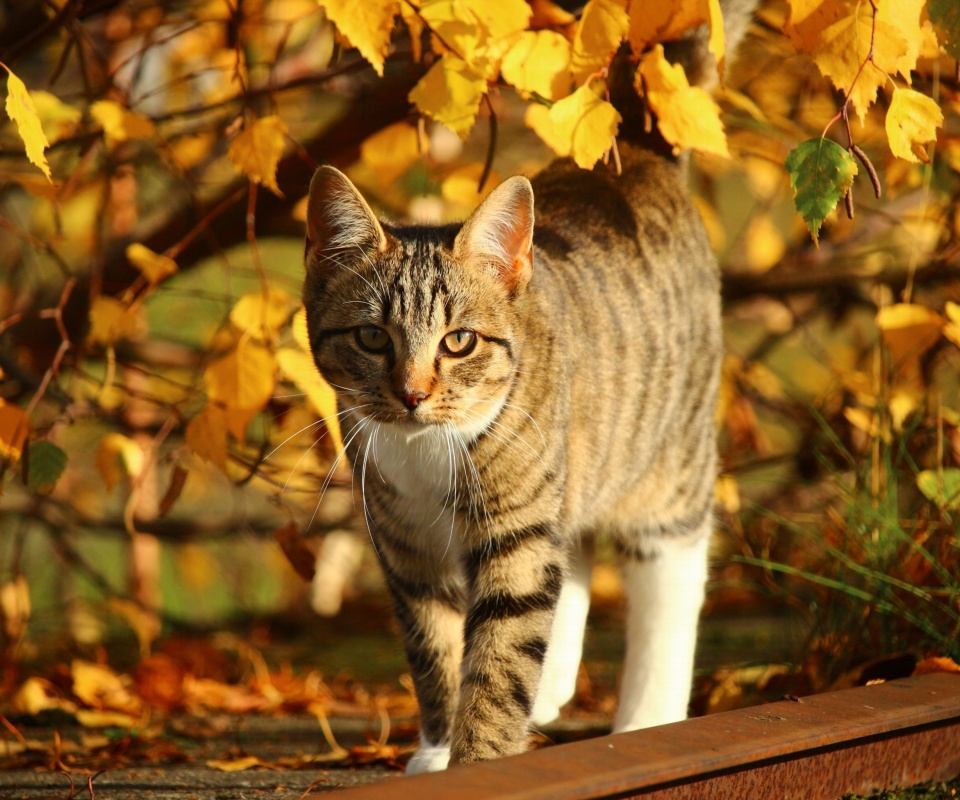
664,594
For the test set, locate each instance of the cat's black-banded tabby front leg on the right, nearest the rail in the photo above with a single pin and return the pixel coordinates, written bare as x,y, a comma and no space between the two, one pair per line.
514,581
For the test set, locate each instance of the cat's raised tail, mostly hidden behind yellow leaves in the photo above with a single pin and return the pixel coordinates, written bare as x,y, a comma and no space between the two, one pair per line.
692,52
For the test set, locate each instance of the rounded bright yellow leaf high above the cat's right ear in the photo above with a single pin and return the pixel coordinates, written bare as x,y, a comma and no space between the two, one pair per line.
539,62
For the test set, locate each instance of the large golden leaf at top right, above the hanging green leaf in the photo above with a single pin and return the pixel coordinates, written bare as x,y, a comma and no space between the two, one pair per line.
843,47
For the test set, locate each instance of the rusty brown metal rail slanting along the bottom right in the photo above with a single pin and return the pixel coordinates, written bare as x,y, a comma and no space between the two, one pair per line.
891,734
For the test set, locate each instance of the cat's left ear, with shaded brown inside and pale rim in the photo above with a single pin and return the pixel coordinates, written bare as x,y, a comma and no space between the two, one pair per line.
338,220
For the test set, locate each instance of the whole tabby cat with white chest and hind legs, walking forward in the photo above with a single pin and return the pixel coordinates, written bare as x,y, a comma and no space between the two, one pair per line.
511,389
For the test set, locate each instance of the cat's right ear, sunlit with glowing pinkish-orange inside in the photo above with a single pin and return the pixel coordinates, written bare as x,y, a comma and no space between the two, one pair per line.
500,232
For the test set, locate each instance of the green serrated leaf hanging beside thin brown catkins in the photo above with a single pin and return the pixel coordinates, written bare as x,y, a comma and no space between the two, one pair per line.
821,172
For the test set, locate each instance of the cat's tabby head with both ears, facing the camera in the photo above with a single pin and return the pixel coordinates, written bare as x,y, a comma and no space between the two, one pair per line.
417,325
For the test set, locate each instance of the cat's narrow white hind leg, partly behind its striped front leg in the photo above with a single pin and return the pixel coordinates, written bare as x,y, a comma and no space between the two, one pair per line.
558,682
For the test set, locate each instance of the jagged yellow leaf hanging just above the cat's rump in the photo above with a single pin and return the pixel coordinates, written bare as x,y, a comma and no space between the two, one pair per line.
686,115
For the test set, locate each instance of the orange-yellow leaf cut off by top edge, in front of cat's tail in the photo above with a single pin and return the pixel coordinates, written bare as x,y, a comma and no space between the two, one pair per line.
667,20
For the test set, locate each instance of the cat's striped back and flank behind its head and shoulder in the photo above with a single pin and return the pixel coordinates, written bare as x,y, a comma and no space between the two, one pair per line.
627,274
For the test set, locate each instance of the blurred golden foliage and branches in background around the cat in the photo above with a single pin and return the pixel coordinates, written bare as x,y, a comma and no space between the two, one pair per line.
163,453
